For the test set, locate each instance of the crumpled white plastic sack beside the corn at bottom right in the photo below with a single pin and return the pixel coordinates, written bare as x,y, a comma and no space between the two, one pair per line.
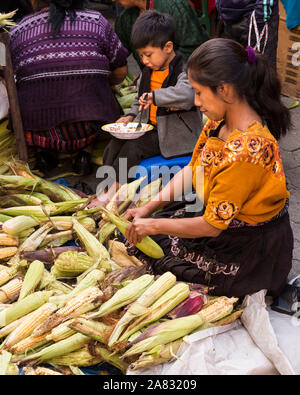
251,349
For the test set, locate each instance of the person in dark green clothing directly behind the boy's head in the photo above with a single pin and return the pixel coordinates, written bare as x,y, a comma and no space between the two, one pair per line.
189,32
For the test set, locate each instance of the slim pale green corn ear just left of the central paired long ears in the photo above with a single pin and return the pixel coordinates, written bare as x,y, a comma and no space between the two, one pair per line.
124,296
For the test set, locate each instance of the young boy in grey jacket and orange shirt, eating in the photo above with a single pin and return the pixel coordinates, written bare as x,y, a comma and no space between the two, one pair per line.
170,104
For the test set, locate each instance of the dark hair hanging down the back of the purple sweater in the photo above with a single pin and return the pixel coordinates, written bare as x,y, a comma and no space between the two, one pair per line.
59,9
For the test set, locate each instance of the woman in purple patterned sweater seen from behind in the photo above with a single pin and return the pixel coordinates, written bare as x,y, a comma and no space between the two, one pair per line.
66,58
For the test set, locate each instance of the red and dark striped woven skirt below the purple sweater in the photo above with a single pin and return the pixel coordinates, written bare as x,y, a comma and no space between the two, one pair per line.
66,137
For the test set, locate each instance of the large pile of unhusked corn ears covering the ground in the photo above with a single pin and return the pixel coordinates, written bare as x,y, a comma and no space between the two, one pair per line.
75,306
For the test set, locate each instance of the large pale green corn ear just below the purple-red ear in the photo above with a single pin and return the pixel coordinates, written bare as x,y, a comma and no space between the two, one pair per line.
164,333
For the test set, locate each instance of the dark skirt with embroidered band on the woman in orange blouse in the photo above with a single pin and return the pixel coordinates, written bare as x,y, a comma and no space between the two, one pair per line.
242,260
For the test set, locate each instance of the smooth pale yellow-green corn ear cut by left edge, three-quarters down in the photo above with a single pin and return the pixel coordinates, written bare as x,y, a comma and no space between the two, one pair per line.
23,307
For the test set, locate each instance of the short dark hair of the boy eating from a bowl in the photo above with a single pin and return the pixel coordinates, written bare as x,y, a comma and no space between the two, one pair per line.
152,28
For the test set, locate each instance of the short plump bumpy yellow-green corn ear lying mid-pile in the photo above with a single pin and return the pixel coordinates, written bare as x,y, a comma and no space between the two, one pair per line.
71,263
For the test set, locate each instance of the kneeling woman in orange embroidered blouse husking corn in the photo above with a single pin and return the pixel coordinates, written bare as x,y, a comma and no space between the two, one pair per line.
242,242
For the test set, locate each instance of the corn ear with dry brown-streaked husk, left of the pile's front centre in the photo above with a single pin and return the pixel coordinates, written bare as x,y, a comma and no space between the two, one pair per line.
85,301
